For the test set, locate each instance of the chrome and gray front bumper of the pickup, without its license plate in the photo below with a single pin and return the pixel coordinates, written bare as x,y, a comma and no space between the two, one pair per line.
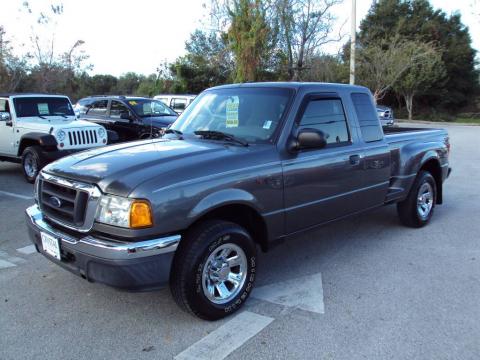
137,266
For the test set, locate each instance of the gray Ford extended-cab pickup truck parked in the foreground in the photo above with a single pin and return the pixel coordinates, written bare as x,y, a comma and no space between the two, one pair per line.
242,168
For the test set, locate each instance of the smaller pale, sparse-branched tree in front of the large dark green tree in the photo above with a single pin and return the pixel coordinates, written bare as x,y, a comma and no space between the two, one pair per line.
382,64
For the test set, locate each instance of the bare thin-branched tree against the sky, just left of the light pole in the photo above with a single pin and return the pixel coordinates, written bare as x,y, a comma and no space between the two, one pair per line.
305,26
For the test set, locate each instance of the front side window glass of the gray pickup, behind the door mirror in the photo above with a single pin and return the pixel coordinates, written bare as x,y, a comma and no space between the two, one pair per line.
327,115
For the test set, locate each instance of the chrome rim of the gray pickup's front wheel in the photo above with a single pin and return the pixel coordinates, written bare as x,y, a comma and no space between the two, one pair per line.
224,273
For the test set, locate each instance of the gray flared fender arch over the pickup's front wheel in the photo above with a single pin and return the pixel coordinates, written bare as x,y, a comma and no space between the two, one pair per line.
221,198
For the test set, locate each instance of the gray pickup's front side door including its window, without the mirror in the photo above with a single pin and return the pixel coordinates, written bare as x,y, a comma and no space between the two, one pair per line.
328,183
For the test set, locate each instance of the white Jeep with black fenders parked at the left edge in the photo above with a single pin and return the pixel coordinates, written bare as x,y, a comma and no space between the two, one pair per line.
36,129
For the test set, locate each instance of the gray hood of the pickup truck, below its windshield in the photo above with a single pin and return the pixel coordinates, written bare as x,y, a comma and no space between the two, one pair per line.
119,169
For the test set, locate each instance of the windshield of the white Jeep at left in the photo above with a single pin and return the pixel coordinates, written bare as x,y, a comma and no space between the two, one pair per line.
42,106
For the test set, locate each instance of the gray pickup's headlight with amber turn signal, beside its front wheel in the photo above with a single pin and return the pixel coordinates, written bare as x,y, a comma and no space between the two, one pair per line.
123,212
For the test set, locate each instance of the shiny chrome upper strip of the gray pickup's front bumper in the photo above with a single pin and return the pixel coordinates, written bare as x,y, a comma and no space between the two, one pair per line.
106,249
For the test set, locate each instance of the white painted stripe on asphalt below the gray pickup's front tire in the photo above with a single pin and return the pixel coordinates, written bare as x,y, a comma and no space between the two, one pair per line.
223,341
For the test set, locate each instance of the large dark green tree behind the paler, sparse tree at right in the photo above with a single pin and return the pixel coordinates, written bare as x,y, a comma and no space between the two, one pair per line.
416,20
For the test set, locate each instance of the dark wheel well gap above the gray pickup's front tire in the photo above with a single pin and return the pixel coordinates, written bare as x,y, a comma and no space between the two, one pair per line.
242,215
